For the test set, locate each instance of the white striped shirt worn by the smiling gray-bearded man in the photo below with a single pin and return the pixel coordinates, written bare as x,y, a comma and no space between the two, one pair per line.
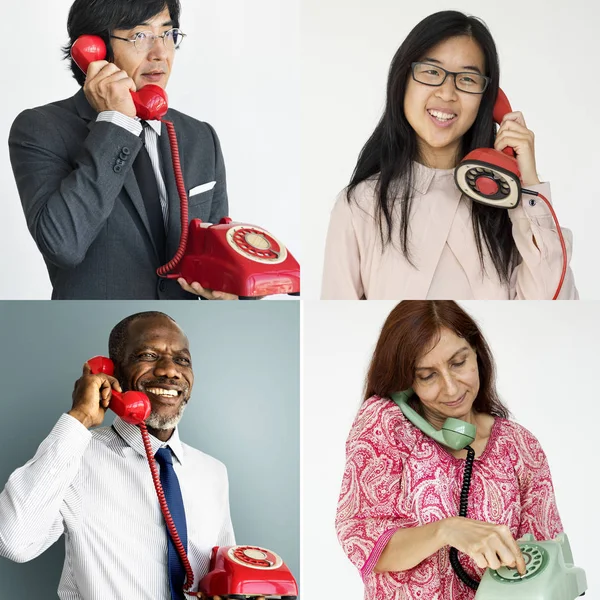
96,487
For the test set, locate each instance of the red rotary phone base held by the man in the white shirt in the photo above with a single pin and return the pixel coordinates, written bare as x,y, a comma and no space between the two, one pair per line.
247,571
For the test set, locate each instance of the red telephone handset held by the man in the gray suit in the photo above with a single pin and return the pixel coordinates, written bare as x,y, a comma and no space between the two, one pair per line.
150,101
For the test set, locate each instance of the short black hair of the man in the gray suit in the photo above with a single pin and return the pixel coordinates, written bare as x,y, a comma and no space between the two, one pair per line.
100,17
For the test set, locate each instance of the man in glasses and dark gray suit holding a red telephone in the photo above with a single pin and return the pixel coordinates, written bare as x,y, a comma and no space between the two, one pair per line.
96,183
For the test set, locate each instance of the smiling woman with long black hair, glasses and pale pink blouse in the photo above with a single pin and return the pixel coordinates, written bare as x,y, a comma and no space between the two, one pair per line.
402,228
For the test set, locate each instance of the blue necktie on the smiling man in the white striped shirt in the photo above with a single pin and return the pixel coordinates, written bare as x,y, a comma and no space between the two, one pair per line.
172,491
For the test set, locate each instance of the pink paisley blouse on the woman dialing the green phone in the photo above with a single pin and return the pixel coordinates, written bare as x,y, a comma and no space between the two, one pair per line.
396,476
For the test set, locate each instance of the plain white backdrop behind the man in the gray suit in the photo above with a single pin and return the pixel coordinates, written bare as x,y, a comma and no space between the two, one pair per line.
238,69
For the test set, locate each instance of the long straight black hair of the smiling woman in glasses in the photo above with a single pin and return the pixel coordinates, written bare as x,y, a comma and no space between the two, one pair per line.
390,151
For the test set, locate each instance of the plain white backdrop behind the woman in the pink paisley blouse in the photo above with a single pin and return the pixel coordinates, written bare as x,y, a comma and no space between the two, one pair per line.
547,361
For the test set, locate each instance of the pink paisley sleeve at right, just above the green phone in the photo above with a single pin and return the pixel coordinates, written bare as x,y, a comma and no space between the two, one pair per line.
539,513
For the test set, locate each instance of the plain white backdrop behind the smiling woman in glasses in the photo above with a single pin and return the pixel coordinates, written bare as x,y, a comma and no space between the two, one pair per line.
548,63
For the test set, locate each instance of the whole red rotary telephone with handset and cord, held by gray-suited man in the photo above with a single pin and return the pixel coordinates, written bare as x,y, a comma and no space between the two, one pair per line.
236,258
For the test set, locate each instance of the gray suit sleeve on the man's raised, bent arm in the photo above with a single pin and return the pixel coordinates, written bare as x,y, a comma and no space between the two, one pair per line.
66,204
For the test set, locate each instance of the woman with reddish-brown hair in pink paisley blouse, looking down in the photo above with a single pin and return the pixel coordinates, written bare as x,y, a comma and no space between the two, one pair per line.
401,489
